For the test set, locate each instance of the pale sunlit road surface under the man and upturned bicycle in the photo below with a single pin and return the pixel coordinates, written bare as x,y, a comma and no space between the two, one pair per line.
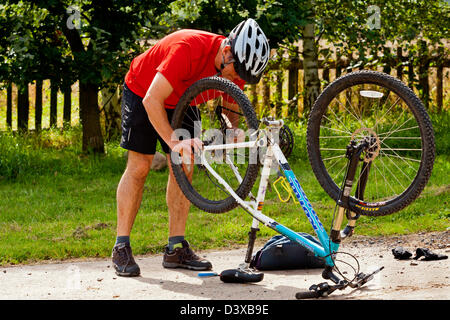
95,279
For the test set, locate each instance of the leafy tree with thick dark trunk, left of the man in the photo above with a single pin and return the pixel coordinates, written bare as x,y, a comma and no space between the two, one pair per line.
94,43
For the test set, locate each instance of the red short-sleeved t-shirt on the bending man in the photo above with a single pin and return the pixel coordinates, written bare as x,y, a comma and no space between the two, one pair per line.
182,57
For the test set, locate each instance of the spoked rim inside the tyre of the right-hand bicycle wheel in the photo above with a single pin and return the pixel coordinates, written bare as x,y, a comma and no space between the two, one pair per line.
372,111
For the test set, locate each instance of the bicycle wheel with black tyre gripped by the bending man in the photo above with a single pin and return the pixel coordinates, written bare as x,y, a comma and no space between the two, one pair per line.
220,105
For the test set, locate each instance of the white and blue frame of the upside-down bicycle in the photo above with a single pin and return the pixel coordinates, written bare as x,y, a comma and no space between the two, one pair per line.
327,248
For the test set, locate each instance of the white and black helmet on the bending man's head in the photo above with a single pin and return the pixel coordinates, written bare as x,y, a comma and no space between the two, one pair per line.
250,50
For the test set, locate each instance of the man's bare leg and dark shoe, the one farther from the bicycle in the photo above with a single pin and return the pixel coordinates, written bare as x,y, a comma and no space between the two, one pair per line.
129,197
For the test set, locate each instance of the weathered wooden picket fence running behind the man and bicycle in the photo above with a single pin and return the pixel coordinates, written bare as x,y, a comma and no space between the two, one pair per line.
428,77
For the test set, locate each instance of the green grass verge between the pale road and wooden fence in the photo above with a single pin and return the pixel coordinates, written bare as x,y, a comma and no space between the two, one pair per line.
56,203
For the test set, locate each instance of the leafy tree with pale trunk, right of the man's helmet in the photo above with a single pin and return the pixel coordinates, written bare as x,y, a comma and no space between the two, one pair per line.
357,27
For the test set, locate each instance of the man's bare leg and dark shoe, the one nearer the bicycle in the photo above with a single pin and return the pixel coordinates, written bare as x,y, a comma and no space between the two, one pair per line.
178,254
